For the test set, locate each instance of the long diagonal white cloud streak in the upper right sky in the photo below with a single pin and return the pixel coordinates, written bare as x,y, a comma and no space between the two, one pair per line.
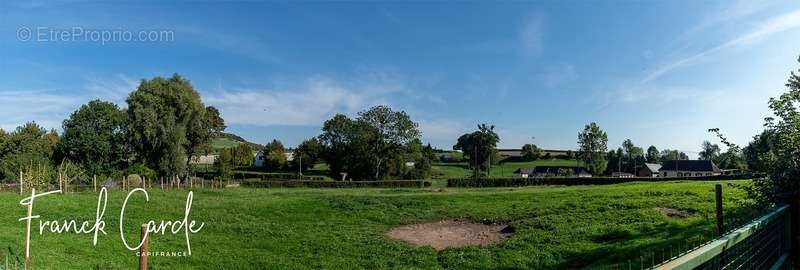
785,22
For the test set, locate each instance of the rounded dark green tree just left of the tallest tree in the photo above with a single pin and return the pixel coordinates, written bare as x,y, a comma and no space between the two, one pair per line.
94,137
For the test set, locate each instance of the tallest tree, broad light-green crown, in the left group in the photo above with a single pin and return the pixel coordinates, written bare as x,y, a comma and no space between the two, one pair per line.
163,114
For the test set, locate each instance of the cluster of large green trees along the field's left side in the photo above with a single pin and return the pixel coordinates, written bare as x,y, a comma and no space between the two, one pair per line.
164,125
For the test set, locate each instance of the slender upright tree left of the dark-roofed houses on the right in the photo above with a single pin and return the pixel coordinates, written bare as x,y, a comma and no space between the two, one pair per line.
592,145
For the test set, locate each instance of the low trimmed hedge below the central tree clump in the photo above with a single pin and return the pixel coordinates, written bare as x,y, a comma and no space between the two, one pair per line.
338,184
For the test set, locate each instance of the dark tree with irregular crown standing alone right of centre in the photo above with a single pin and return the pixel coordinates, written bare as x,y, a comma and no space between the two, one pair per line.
479,147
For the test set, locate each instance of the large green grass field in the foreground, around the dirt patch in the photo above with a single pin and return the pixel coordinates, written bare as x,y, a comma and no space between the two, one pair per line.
556,227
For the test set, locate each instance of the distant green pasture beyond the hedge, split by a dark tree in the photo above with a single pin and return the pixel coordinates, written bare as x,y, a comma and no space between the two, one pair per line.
443,170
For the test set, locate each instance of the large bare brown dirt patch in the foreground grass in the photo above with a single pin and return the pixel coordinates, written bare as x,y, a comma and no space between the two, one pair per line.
451,233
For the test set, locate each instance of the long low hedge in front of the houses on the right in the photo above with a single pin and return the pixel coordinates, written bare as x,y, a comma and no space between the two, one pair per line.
570,181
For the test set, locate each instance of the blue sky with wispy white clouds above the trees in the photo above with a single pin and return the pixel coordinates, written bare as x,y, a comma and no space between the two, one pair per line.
658,72
